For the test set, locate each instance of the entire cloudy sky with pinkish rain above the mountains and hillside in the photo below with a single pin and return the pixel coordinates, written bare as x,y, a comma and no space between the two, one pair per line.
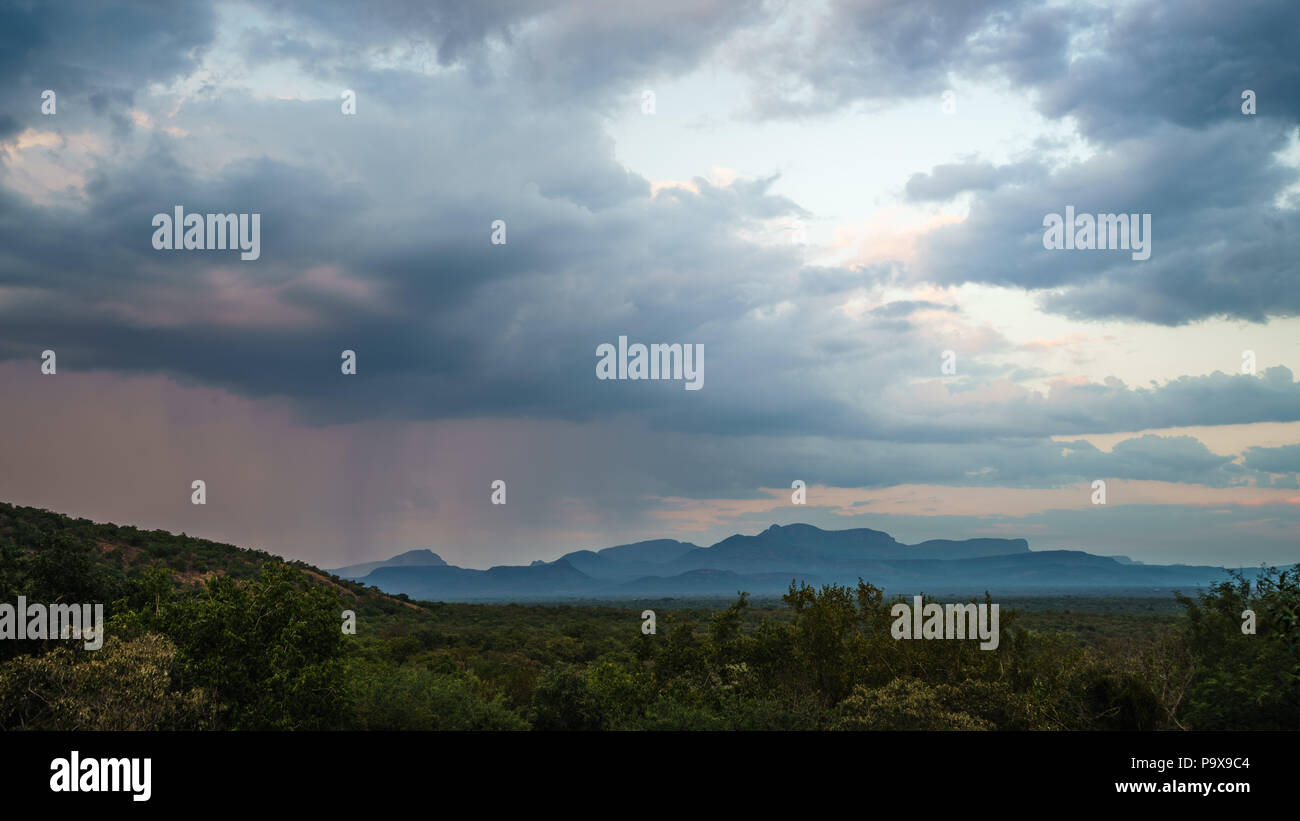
843,203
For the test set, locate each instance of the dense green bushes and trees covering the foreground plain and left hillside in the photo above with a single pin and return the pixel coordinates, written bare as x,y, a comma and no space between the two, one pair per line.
205,636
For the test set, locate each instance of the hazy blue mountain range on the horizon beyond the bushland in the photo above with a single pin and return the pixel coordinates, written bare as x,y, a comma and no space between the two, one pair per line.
766,564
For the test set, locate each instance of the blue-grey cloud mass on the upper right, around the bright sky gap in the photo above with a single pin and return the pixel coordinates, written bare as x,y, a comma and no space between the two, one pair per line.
1156,89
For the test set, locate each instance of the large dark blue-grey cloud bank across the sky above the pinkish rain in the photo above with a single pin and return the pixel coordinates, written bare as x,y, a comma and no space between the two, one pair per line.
450,325
